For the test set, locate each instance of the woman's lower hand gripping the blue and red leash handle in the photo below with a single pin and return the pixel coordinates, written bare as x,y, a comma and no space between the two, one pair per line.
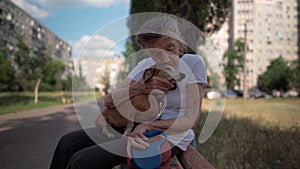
137,138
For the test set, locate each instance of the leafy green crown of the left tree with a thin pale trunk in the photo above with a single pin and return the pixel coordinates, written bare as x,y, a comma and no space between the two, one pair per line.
34,64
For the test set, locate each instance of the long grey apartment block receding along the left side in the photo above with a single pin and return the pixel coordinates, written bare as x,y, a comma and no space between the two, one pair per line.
15,21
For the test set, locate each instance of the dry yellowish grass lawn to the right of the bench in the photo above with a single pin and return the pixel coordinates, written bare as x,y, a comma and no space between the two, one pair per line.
262,133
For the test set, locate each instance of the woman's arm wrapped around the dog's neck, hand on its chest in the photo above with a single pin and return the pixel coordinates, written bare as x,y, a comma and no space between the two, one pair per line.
129,88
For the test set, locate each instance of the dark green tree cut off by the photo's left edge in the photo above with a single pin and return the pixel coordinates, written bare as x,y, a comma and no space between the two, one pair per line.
7,71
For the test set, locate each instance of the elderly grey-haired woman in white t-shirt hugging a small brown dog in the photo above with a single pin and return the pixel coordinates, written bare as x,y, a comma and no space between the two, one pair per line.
160,39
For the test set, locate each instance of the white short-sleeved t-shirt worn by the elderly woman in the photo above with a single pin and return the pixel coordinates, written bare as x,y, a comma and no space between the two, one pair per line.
193,66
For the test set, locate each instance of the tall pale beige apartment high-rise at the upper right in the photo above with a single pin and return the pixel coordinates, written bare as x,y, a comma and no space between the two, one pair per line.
272,30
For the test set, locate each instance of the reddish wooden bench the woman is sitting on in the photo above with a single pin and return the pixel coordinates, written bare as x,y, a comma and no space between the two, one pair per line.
190,159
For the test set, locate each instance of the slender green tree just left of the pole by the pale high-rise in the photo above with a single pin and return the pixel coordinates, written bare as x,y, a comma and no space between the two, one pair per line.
233,64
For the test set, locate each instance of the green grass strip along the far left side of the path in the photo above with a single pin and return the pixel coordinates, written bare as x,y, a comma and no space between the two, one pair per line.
11,102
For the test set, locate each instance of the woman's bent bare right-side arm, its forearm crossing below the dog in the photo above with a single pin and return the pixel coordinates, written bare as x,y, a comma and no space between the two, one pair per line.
187,121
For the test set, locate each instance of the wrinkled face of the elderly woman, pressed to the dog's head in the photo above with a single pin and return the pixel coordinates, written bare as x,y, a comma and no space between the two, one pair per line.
165,51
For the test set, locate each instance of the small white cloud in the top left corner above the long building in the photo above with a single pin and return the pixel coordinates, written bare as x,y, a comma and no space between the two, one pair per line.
32,9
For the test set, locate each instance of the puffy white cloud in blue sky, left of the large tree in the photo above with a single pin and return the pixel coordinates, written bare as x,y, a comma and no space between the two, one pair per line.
93,47
